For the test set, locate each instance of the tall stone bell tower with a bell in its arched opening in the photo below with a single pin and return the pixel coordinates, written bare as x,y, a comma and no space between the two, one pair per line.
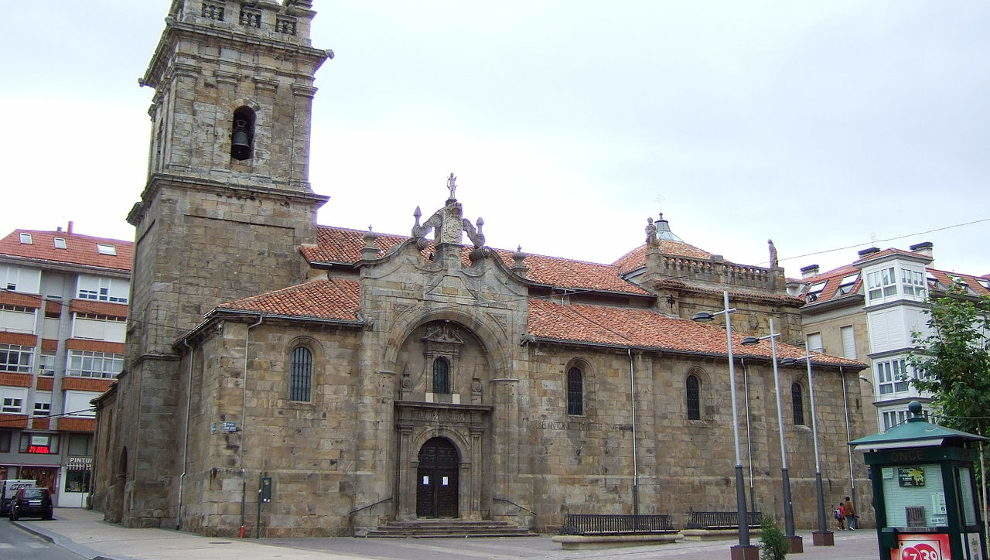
226,205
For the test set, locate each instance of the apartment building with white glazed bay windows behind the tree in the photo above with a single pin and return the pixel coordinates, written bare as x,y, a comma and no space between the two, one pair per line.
869,310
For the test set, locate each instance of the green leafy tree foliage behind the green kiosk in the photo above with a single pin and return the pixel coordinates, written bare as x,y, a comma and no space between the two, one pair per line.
953,361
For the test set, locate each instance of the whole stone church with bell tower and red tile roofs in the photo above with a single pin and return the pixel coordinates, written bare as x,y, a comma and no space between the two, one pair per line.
374,378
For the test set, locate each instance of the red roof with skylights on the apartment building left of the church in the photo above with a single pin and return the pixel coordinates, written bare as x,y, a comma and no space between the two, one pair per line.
80,249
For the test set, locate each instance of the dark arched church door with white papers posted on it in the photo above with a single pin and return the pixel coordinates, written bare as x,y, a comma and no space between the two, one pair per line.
436,480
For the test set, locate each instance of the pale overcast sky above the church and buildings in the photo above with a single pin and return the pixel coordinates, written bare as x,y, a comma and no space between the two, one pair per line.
568,123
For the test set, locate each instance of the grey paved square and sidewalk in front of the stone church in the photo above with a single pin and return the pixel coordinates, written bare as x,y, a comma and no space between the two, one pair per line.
85,533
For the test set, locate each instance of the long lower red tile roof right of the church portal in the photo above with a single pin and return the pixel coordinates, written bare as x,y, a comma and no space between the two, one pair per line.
647,329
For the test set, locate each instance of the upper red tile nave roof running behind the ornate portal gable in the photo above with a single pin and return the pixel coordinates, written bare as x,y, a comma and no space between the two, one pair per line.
341,245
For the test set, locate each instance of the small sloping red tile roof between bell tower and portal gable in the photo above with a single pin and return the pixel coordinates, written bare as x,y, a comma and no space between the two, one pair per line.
335,298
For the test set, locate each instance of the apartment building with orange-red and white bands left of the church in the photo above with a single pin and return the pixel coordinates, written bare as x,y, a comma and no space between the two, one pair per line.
63,312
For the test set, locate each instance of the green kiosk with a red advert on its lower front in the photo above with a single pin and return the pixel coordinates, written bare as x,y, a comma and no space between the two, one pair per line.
924,491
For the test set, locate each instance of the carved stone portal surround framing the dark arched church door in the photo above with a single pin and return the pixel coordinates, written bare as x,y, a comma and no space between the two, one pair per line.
440,441
